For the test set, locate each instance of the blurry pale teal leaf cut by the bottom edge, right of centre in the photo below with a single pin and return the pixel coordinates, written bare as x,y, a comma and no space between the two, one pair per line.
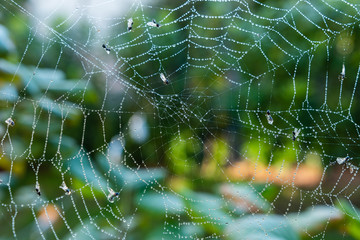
259,226
